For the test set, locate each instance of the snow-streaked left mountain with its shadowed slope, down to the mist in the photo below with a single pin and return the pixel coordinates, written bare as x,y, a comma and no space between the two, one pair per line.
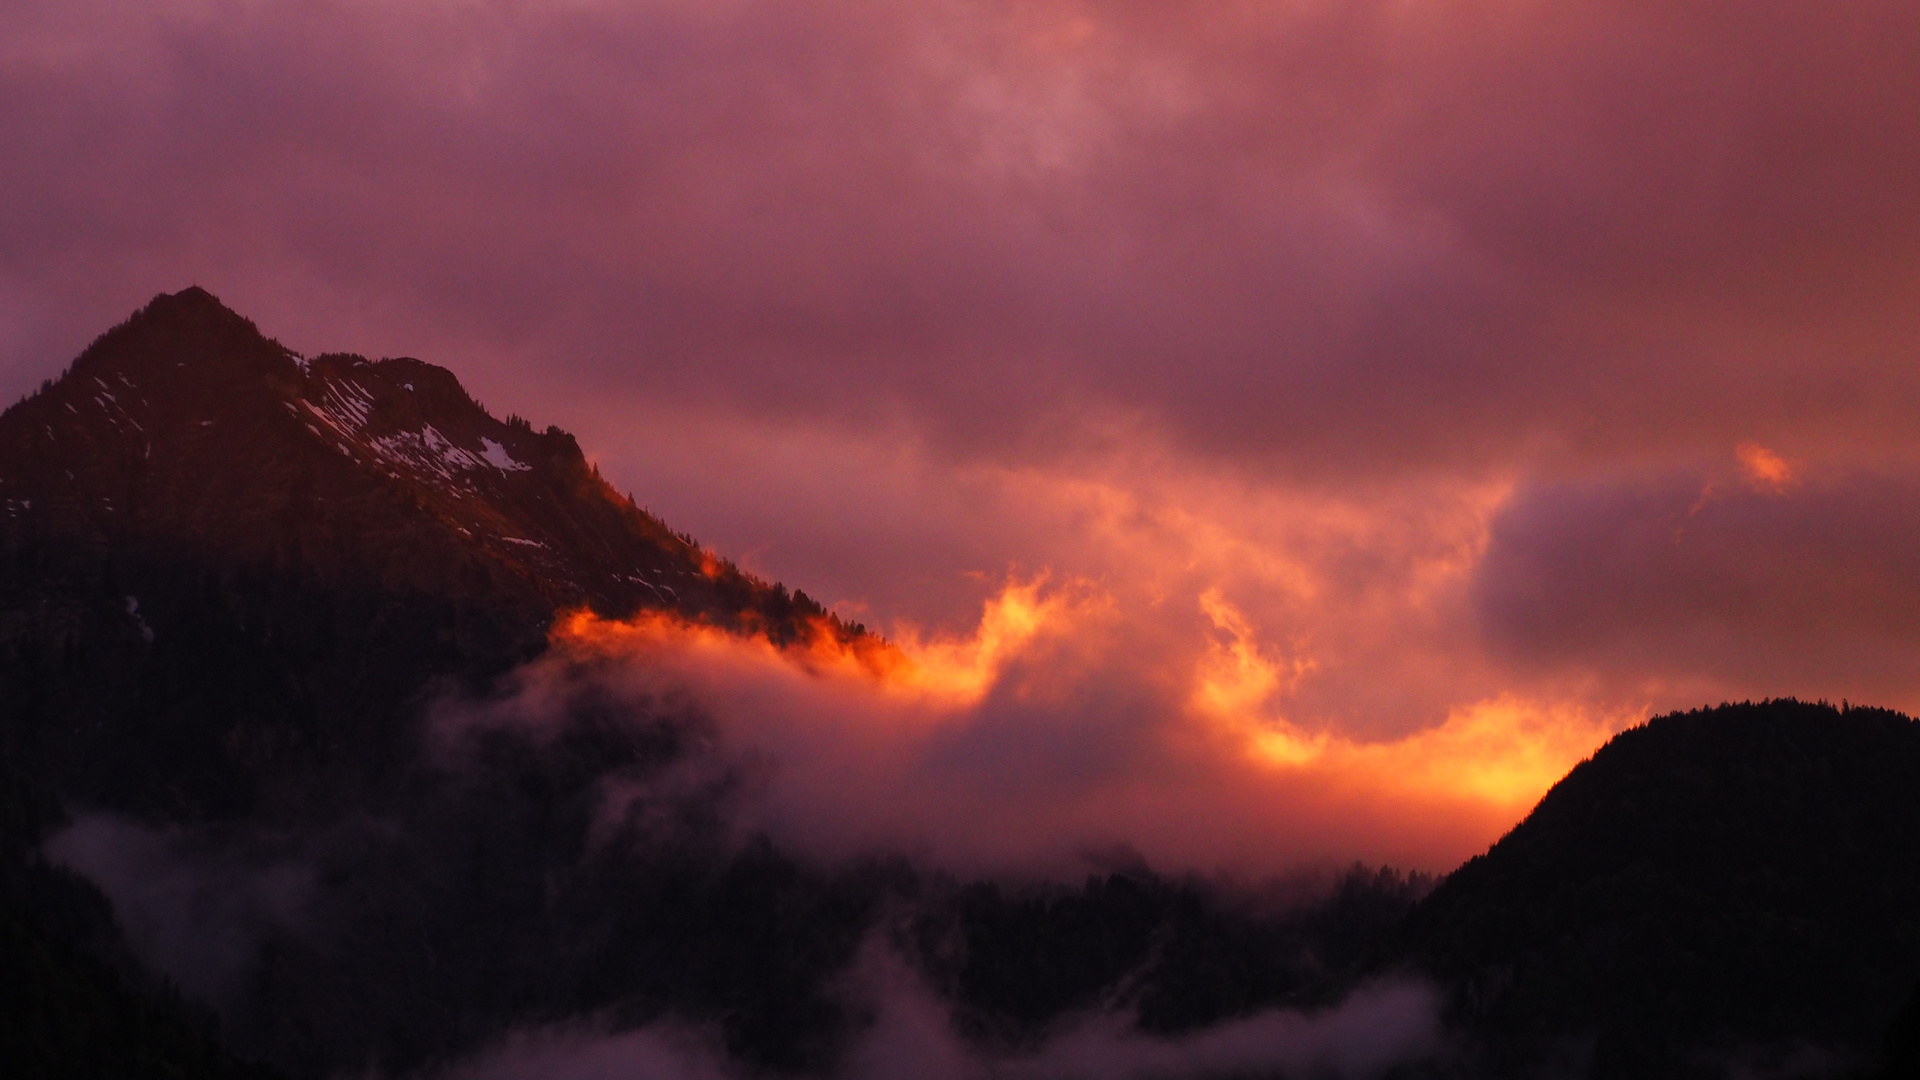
228,566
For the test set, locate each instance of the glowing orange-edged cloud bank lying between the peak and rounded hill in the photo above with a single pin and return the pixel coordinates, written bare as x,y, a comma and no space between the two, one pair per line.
1070,722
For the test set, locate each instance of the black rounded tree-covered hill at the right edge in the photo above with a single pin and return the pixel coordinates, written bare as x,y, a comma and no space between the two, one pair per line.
1733,891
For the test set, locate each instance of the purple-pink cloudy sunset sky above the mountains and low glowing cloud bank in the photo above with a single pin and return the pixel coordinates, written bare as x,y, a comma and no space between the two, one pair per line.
1424,337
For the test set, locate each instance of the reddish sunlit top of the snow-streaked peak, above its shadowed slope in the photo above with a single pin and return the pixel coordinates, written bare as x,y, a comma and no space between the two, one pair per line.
189,422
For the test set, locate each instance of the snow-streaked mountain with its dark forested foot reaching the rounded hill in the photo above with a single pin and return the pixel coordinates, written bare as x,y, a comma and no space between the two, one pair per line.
233,583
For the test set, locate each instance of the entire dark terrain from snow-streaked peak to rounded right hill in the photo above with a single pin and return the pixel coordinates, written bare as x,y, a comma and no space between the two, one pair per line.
233,583
